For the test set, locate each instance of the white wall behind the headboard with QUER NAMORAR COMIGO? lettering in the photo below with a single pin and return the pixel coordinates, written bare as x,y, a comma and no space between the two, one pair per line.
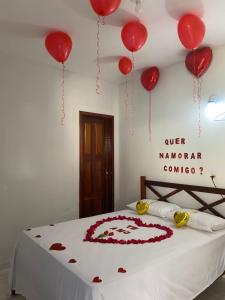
174,114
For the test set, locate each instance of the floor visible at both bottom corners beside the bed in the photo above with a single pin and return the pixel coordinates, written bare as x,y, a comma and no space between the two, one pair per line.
215,292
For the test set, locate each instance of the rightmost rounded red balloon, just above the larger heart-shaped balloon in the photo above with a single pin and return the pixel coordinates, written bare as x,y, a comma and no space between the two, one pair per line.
191,31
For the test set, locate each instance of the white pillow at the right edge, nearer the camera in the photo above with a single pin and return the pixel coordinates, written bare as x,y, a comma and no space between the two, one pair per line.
202,221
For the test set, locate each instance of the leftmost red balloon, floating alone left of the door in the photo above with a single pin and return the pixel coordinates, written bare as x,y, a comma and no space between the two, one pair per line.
59,45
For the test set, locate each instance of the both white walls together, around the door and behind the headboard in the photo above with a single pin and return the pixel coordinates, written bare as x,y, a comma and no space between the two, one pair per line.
39,161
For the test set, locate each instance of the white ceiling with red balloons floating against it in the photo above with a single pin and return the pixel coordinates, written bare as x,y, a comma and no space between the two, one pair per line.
25,23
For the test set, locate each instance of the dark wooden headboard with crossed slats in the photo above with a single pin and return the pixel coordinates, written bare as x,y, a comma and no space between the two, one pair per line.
189,189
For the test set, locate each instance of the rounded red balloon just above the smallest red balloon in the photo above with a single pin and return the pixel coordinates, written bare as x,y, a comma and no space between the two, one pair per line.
134,36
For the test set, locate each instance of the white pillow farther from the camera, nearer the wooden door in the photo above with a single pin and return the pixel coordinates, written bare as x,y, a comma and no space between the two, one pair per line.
157,208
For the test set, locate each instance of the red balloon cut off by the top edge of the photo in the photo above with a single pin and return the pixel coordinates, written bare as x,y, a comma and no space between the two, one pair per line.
105,7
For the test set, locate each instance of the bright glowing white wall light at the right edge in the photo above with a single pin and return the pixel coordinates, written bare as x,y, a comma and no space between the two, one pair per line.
215,109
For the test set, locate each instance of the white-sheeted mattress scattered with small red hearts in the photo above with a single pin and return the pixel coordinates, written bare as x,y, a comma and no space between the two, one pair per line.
178,268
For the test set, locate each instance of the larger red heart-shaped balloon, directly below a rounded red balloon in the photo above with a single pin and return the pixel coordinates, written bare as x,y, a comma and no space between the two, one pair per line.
198,61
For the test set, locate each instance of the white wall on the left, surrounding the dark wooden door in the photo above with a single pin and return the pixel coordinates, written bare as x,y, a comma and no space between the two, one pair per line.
39,160
